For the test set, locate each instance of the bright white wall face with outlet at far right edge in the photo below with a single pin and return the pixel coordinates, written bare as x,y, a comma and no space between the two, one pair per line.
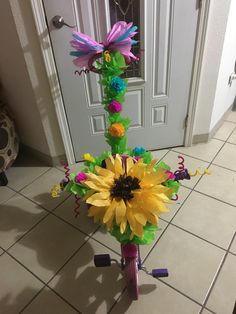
225,94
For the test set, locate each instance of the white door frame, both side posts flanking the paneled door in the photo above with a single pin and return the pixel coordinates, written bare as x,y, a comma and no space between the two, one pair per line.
50,67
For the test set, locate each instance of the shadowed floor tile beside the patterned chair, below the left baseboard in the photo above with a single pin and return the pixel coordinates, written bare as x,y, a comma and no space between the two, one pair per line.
19,177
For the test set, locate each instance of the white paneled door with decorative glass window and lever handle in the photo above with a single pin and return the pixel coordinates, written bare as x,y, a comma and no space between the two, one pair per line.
158,87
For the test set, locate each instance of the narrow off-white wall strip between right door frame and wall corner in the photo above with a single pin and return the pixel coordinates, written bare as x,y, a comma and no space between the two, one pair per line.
217,22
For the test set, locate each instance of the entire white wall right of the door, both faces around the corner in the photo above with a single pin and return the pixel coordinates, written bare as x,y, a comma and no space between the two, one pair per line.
215,96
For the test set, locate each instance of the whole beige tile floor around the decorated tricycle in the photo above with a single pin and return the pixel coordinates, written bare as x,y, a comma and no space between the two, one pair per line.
46,255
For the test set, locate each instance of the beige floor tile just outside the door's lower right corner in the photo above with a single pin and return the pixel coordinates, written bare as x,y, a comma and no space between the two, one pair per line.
205,151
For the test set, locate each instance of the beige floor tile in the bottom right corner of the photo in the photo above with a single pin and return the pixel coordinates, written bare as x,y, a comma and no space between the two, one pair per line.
223,297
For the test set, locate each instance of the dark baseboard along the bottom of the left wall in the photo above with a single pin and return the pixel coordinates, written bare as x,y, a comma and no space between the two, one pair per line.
44,158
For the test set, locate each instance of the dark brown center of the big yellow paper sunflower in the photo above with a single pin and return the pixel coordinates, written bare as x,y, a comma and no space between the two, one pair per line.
124,186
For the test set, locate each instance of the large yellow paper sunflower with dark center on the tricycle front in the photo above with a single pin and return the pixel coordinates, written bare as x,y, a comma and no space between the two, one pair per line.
127,192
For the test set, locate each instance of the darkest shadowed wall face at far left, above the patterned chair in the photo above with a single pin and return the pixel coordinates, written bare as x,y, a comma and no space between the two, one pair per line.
16,83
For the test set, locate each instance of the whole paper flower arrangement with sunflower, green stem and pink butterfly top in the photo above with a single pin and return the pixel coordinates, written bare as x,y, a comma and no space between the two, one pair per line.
125,189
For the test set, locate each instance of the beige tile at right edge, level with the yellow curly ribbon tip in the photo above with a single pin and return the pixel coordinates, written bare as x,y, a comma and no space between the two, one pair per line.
221,184
